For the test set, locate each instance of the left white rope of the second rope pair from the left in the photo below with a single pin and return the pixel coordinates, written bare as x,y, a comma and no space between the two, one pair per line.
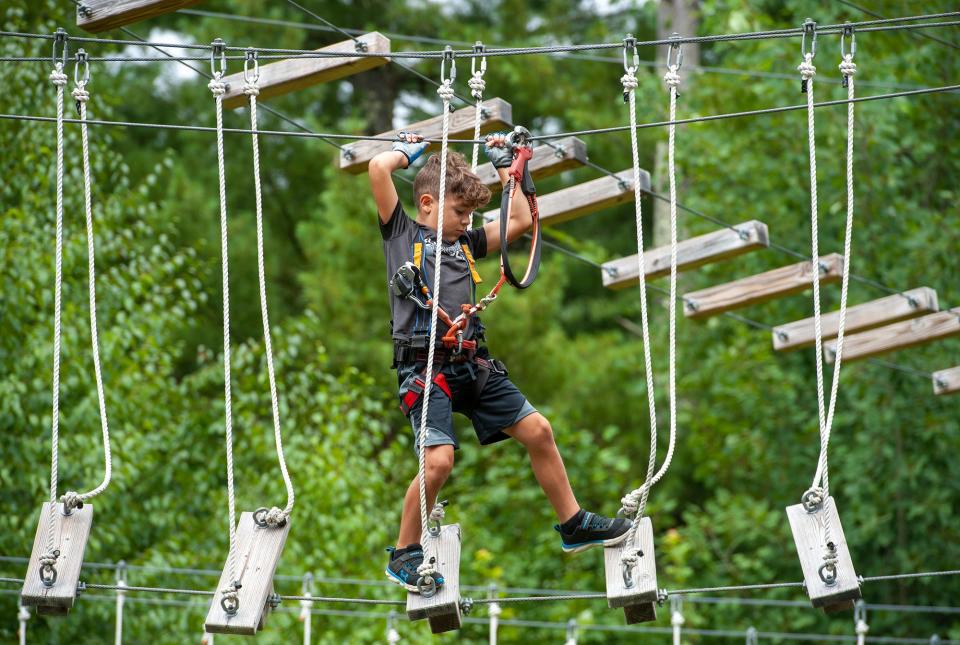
218,88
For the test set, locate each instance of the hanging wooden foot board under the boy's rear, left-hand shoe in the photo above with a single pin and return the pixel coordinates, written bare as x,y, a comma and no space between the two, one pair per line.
443,608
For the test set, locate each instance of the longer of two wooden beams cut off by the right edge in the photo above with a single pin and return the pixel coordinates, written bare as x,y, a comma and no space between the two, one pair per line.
881,340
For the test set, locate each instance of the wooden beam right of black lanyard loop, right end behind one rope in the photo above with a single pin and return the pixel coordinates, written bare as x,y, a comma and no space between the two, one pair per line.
588,197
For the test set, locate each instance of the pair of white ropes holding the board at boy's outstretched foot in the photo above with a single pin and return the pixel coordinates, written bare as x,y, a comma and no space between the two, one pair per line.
634,503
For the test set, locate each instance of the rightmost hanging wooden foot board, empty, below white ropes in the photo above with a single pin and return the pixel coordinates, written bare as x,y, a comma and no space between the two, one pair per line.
831,589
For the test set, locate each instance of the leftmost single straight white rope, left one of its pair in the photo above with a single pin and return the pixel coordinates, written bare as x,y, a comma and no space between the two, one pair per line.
59,79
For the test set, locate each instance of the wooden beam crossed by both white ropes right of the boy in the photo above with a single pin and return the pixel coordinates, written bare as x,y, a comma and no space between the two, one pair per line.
692,253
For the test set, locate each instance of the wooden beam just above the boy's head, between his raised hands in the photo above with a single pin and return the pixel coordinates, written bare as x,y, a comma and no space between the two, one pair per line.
496,114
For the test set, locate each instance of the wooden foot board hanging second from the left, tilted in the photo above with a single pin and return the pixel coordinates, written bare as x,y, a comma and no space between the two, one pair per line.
258,552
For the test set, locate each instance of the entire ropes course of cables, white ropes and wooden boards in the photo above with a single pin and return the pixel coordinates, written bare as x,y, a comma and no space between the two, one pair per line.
245,593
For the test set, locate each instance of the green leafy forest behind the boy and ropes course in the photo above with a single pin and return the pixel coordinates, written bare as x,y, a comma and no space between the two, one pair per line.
747,416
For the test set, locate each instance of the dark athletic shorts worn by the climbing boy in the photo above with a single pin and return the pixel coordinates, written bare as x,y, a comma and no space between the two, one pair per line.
499,405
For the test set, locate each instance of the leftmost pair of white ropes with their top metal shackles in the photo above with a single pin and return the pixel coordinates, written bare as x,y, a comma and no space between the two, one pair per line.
72,500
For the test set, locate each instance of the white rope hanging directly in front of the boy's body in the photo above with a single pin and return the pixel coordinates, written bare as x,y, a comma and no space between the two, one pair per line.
446,93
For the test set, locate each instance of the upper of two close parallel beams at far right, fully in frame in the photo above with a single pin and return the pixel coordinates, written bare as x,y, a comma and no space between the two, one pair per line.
875,313
